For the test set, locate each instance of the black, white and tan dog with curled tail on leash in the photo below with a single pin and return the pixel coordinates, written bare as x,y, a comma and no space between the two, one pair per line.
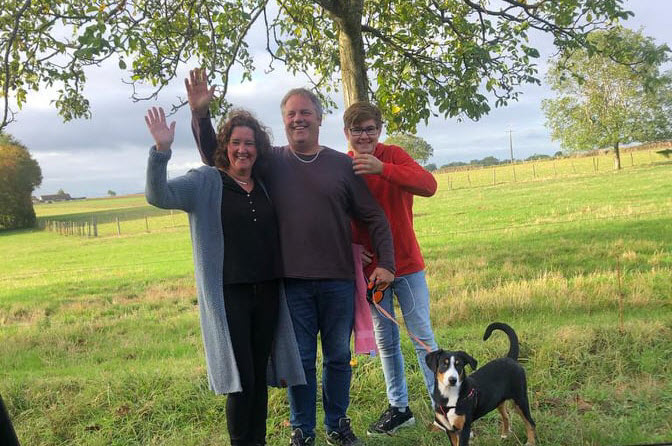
459,400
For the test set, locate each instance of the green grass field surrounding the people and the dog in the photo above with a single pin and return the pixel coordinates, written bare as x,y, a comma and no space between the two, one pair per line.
100,343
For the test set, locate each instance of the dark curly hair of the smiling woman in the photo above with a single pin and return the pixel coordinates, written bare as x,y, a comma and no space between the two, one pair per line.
240,118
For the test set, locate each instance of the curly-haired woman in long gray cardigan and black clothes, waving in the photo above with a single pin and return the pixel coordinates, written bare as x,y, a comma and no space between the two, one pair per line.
244,318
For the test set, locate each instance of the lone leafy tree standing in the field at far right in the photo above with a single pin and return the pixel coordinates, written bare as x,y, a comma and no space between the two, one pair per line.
602,103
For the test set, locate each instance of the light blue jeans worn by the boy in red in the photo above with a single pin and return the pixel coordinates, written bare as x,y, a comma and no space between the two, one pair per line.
413,296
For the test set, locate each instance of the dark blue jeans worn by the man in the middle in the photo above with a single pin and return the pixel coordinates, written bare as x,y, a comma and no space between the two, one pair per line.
327,307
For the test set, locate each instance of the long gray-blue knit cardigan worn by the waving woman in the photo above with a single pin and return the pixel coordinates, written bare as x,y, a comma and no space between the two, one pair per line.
199,193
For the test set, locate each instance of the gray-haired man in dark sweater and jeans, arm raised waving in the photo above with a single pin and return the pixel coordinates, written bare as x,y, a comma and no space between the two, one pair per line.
315,195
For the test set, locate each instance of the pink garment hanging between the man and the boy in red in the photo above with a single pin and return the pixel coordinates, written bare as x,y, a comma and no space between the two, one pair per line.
365,341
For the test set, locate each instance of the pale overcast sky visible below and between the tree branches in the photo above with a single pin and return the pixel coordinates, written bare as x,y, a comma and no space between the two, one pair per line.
109,151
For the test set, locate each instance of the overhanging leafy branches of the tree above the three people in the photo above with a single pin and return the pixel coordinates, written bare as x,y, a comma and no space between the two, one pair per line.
413,58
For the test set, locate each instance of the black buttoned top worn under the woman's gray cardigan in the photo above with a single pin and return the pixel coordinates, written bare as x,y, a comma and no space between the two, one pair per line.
251,240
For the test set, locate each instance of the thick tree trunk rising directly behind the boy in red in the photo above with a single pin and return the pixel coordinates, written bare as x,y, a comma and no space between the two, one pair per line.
351,50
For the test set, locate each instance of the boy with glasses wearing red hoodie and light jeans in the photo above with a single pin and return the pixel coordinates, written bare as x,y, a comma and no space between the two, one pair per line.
393,178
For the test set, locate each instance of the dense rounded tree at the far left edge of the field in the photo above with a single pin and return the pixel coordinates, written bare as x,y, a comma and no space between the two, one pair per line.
20,174
